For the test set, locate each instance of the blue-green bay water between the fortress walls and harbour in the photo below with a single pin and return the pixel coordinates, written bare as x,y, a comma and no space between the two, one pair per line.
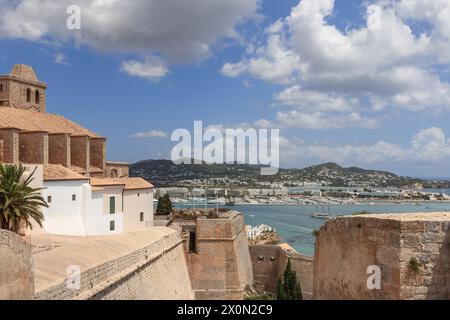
295,225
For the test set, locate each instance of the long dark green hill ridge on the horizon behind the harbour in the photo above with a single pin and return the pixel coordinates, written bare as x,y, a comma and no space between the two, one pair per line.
166,173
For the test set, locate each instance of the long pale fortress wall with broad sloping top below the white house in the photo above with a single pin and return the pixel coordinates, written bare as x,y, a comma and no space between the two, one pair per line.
143,265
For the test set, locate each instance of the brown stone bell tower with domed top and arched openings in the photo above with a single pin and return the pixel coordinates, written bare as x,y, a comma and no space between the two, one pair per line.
21,89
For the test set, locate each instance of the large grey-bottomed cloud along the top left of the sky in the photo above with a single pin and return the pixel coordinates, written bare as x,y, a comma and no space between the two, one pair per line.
178,30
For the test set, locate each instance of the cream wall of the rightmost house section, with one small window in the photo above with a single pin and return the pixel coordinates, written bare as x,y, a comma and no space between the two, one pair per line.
135,202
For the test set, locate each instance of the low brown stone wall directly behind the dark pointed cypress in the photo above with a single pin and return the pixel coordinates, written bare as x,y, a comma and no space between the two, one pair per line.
269,263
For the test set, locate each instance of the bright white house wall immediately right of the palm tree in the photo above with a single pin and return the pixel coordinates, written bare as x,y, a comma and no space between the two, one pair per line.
64,216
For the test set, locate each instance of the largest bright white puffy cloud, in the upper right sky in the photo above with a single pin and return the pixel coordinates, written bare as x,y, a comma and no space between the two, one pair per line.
339,73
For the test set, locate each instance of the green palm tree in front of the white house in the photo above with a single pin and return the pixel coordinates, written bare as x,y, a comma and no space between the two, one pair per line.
19,202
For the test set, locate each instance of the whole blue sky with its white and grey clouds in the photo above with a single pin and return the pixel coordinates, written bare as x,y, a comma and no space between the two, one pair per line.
359,83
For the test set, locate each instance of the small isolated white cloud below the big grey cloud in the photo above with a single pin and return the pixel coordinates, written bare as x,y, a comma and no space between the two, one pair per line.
151,68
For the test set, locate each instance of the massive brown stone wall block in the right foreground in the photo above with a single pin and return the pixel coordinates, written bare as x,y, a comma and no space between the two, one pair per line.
347,246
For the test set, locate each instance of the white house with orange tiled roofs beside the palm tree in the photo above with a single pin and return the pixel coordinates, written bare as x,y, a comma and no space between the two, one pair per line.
81,206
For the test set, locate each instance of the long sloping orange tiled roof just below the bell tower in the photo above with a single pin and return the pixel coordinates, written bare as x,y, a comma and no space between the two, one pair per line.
26,120
